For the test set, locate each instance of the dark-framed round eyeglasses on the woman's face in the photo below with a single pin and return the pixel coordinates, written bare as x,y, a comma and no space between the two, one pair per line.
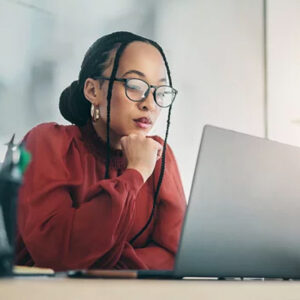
137,90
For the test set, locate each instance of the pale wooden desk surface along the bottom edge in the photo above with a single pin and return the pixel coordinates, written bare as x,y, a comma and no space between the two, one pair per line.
64,288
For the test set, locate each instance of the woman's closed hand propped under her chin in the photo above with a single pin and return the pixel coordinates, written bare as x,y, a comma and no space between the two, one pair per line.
141,153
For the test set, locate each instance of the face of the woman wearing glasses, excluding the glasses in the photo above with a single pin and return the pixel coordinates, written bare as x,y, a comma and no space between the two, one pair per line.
139,60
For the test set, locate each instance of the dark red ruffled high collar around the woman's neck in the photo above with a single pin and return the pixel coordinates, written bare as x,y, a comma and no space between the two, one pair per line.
97,146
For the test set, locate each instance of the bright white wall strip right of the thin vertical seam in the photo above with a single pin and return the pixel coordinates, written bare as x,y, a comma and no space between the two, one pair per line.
283,49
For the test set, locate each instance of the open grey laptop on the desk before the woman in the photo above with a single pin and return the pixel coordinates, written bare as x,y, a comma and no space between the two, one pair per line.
243,215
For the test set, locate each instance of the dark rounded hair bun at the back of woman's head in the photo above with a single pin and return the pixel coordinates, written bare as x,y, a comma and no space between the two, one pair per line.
73,106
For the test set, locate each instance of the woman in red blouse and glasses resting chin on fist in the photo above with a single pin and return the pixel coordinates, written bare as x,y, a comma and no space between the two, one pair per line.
100,193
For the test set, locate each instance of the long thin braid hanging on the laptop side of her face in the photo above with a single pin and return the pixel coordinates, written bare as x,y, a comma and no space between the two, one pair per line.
163,158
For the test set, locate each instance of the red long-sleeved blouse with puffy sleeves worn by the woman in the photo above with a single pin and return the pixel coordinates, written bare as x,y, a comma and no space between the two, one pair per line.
70,217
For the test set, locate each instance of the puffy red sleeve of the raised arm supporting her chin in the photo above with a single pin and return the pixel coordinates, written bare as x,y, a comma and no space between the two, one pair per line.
56,232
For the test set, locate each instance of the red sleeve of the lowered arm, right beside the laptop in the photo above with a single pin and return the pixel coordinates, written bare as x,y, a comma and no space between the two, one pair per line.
161,249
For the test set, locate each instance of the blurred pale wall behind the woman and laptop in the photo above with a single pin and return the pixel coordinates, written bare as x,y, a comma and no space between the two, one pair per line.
236,63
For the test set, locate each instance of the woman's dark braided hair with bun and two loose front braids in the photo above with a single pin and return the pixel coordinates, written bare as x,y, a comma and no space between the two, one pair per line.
76,109
